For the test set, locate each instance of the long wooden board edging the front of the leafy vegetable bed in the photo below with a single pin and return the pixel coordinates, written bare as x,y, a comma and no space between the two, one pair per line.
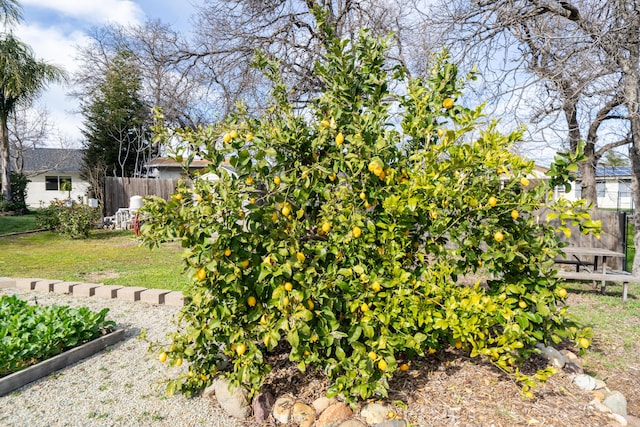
23,377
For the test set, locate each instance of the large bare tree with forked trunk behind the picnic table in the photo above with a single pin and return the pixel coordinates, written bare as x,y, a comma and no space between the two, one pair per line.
550,53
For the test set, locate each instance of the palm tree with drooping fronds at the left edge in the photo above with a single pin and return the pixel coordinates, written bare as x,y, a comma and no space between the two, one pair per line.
22,77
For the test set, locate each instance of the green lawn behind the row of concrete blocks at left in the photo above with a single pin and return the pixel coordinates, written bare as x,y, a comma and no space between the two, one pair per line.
112,258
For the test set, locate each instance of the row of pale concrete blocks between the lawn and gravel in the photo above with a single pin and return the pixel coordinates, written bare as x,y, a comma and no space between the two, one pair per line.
94,290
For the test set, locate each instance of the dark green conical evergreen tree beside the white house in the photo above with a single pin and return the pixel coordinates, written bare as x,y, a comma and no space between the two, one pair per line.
116,121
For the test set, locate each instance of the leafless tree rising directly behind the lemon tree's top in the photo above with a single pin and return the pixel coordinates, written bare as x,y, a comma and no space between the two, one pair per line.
230,32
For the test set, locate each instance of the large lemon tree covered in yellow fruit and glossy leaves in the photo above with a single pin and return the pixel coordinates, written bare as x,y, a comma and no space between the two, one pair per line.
349,230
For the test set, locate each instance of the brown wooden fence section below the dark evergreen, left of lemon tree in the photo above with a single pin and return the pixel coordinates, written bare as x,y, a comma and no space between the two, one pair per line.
118,191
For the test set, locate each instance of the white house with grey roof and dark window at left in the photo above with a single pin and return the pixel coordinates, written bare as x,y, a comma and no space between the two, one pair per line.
54,173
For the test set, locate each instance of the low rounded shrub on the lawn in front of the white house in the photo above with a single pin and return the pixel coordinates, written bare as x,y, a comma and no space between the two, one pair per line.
74,220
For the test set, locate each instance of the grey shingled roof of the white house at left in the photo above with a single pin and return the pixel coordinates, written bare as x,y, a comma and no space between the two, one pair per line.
61,160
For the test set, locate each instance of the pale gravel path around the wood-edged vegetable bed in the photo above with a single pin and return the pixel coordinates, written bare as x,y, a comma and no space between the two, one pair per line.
121,386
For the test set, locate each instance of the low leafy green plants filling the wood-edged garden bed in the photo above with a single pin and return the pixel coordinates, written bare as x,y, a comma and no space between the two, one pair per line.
32,333
